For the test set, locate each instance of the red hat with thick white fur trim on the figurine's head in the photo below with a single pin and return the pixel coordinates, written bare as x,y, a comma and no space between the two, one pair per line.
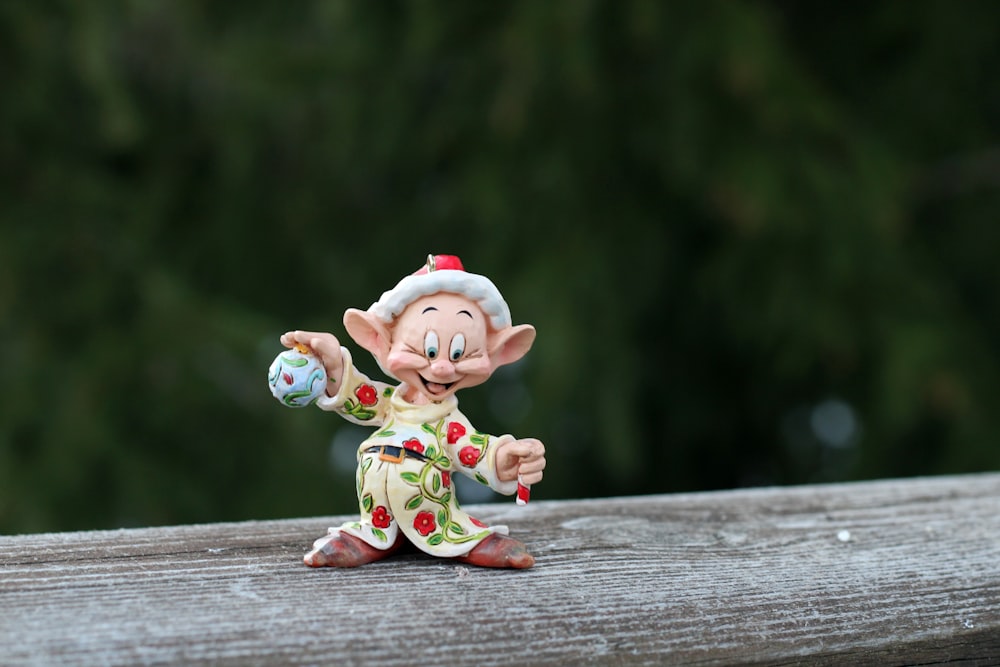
444,273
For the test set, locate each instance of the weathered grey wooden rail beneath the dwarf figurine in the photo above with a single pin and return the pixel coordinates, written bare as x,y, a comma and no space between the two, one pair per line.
889,572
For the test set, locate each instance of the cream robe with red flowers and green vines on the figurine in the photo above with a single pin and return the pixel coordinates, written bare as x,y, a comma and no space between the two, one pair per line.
415,496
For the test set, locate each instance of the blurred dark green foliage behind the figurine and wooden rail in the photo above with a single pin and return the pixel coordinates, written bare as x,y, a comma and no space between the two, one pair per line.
758,239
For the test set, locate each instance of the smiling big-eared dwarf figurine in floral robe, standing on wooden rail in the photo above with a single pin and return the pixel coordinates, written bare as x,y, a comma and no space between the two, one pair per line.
439,330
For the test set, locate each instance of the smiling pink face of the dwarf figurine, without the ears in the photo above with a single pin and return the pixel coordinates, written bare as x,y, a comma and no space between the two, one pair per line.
439,345
